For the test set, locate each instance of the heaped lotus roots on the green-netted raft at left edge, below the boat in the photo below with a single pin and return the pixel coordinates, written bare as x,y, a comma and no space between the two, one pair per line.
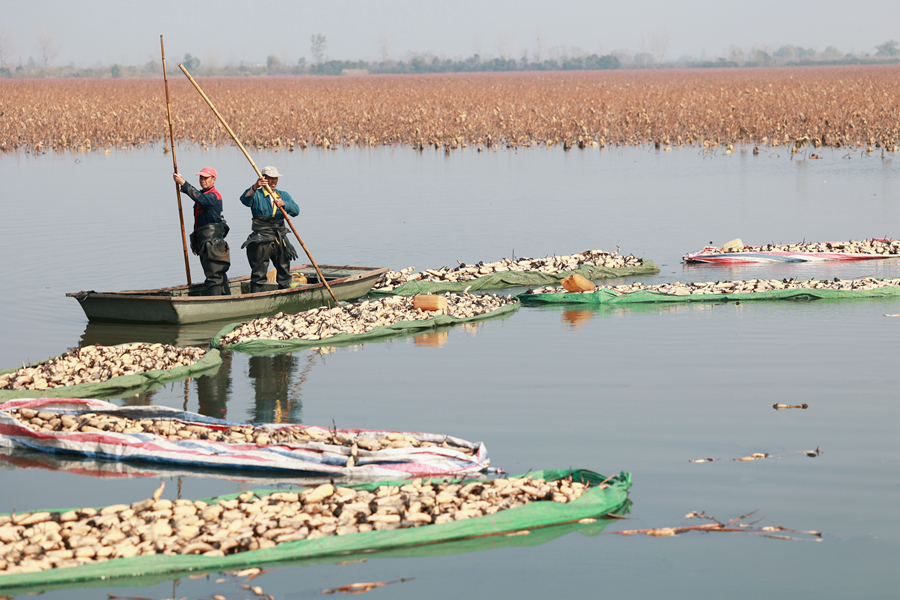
94,364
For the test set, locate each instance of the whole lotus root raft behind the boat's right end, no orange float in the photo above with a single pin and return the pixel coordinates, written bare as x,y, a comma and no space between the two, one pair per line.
593,264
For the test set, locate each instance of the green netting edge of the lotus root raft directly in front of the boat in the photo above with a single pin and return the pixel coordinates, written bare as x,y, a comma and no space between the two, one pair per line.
262,346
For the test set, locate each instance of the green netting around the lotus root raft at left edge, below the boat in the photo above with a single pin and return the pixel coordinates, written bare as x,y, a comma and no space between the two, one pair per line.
124,385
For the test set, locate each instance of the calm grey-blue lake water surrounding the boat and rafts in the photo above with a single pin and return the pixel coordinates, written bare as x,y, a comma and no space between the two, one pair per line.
641,390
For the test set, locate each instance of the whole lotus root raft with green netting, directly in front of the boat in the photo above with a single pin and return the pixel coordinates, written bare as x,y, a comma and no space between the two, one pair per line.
354,323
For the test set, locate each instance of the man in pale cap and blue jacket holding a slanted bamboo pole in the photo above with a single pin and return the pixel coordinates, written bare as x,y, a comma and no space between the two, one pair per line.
268,240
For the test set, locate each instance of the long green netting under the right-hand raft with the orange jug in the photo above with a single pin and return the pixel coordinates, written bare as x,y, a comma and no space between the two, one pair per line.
644,296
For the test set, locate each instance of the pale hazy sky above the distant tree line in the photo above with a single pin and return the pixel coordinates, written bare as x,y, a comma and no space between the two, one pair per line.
227,31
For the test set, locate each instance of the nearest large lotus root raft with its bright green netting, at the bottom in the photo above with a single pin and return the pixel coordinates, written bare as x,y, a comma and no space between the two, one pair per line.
261,527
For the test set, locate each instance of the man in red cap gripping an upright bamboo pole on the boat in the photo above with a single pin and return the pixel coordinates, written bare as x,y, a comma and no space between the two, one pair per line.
208,239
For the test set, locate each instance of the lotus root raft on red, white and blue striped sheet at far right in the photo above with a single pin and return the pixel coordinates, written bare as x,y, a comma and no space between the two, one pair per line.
803,252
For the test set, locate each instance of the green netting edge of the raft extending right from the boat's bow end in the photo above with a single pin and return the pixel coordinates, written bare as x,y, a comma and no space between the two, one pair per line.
505,279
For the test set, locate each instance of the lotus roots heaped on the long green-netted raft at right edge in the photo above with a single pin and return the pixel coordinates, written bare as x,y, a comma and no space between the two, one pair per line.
739,287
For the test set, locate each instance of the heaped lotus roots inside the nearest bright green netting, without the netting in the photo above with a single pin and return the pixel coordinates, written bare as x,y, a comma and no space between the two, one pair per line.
31,542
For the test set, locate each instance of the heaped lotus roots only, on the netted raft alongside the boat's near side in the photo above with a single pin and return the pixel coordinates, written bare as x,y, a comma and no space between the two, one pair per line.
361,317
